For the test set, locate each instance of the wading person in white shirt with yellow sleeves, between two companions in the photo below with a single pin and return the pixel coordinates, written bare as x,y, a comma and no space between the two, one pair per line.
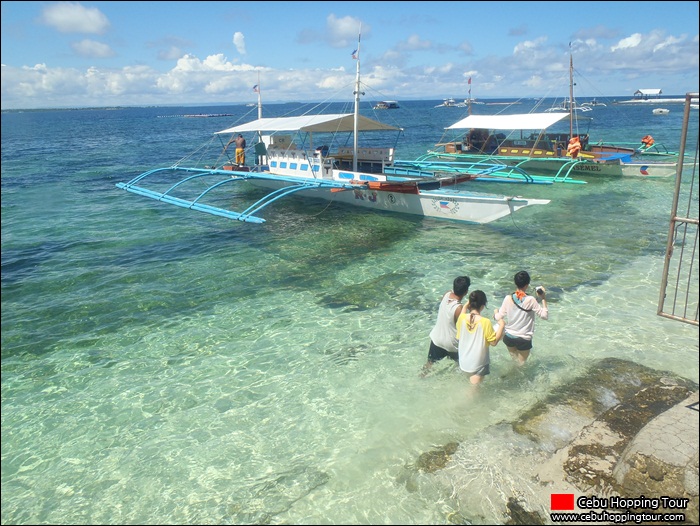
475,335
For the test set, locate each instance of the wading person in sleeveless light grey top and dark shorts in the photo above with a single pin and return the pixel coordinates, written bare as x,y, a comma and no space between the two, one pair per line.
443,337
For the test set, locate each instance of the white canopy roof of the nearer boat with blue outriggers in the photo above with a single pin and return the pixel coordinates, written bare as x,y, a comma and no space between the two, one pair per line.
331,123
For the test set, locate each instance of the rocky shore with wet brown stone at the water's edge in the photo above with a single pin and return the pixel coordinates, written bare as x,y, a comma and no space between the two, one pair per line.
622,431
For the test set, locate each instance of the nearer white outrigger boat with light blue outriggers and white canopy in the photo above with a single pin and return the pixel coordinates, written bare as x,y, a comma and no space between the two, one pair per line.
354,175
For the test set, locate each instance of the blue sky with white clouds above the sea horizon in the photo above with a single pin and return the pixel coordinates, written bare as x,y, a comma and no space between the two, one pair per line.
78,54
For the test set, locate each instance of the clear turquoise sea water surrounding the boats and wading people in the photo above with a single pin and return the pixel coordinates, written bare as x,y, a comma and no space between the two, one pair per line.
167,366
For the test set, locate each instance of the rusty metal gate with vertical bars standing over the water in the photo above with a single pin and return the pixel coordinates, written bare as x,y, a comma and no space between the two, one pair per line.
679,294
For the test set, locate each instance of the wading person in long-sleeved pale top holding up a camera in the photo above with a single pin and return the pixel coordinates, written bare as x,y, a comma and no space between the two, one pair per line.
520,310
